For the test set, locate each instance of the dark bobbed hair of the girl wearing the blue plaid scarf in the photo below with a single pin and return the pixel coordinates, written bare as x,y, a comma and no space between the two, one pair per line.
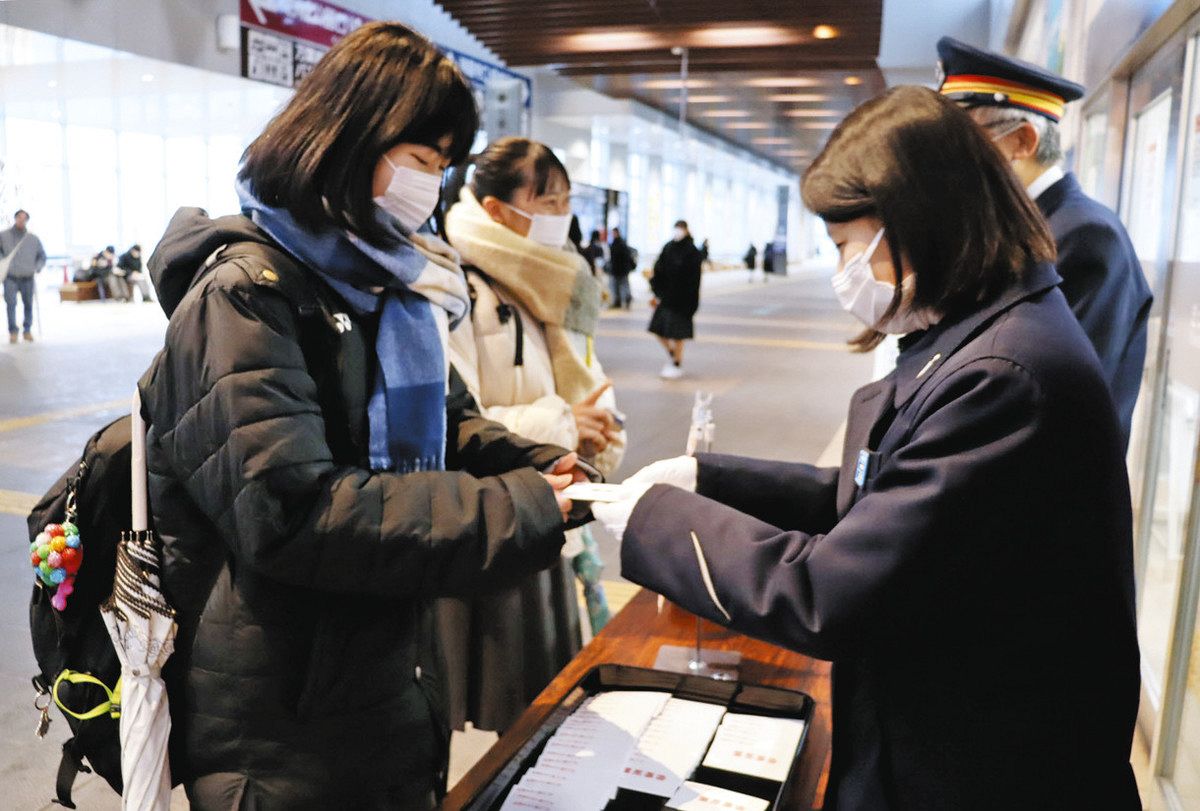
383,85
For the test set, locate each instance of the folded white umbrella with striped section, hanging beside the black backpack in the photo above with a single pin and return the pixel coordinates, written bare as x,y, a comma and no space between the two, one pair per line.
143,628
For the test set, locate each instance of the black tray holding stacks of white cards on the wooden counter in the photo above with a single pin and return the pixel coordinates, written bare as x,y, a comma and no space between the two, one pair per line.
736,696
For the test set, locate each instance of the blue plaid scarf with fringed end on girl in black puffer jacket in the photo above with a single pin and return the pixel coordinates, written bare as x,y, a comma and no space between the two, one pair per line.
406,413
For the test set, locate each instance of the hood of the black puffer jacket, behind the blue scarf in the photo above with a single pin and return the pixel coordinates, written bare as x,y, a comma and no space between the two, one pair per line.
191,238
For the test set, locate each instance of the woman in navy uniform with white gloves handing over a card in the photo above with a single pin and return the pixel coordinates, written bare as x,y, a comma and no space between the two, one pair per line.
969,568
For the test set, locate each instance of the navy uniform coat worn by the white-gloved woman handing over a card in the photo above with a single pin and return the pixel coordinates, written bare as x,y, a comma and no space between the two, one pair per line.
968,570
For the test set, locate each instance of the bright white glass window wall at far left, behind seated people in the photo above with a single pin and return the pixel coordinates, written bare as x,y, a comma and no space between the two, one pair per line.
103,147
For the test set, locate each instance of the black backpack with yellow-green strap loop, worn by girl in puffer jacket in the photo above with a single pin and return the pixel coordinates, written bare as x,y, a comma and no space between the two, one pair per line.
79,666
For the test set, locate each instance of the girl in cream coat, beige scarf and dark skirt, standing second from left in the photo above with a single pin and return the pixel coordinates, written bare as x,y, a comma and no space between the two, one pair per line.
527,356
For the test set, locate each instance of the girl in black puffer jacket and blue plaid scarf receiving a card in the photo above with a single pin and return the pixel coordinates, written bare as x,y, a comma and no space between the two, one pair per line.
315,478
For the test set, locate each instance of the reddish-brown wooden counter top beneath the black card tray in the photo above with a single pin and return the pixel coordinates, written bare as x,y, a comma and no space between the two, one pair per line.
634,638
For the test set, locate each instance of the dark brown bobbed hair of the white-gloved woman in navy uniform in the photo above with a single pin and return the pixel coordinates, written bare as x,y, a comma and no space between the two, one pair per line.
949,201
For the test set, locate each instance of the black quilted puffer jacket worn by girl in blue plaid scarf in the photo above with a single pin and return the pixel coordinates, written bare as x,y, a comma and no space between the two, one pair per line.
302,672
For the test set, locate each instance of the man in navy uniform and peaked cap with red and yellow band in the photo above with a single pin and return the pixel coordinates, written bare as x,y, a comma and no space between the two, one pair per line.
1021,106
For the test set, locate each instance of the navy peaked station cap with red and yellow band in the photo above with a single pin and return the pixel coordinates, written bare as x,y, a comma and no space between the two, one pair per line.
974,77
